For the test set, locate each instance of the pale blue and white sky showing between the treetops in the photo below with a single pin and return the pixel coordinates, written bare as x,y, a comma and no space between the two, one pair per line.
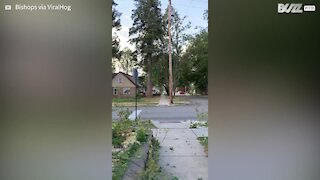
192,9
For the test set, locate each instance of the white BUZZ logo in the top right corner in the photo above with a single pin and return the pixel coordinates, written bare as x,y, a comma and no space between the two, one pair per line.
294,8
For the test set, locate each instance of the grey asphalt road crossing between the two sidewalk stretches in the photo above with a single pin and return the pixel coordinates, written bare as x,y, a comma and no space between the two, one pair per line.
199,104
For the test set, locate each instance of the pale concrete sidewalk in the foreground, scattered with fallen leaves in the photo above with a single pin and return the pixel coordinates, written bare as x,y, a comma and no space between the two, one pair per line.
181,154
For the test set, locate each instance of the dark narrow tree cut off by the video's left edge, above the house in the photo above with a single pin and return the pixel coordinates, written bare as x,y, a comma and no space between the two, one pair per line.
116,26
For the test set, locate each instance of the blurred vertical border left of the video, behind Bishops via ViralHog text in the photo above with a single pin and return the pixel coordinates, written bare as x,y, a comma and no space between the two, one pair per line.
56,92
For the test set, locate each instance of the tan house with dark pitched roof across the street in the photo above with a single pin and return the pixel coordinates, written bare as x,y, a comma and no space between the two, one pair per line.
123,85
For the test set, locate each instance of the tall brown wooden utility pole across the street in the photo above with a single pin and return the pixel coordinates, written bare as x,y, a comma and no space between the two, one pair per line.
169,52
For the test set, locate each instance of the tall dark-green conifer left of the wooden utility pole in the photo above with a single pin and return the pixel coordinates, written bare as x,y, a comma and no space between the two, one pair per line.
146,33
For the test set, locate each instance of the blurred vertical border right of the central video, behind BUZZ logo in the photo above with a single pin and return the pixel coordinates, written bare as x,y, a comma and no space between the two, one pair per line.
263,91
